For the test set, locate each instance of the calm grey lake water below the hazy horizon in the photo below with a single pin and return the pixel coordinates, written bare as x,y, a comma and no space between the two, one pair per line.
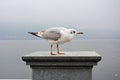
12,66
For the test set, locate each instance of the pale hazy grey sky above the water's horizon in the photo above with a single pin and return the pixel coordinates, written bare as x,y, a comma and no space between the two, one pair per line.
96,18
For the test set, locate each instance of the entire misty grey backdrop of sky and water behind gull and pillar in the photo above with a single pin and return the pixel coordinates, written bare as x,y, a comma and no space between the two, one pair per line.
98,19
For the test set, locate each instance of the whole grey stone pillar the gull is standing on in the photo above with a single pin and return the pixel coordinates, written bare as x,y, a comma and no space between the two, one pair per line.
70,66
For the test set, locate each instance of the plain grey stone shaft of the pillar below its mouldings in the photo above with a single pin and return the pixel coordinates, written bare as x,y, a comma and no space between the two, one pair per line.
62,74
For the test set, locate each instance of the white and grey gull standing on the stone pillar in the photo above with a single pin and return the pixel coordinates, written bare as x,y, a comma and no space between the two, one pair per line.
56,35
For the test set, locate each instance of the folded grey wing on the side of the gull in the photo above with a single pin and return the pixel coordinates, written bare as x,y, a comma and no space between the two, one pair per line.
53,34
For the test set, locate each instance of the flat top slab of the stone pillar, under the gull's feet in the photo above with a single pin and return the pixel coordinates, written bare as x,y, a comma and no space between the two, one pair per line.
67,56
